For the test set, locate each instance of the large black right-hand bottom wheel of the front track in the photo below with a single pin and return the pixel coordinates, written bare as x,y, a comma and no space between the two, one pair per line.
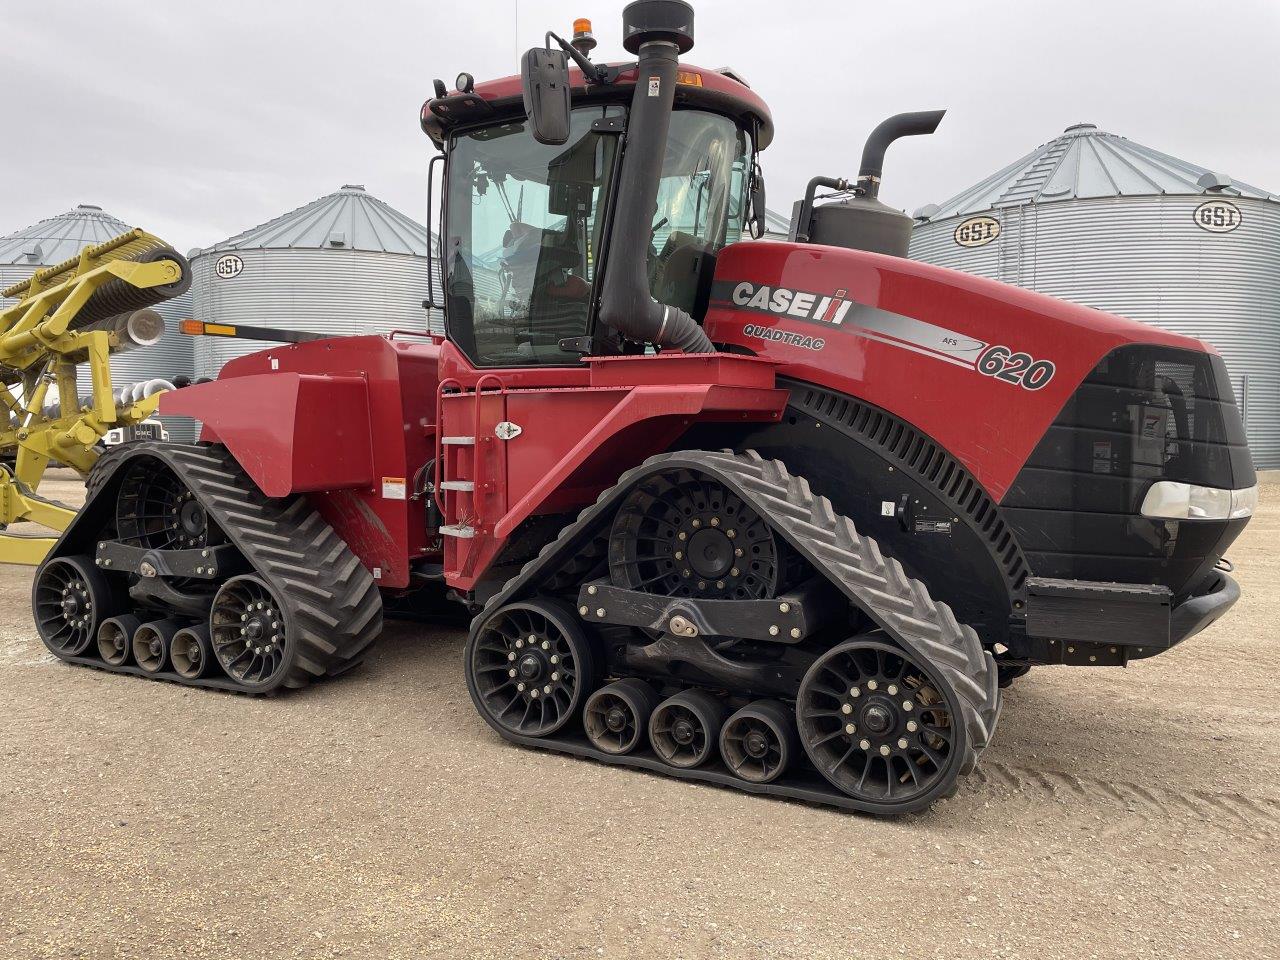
880,726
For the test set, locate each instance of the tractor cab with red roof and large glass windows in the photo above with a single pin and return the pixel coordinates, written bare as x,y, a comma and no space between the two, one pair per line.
534,225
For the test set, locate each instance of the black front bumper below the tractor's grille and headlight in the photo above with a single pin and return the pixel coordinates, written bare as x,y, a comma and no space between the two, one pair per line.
1095,624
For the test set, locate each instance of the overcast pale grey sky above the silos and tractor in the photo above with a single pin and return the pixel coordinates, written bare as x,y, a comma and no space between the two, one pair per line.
200,120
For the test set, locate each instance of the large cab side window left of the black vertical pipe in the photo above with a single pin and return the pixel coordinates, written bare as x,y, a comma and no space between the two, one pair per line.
524,239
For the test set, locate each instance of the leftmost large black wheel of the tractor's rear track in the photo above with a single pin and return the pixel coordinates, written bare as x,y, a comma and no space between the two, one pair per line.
71,600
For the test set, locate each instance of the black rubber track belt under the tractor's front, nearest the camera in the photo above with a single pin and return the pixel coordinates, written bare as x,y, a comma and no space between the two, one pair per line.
874,583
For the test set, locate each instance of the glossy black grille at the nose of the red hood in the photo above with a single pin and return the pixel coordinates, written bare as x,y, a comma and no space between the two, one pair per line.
1145,414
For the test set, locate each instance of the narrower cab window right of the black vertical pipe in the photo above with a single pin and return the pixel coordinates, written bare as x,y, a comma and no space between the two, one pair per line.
702,207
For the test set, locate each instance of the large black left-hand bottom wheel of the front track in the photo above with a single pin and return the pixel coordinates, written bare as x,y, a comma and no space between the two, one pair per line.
529,668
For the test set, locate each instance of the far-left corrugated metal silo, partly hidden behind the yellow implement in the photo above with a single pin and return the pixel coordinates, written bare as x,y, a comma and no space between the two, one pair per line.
62,239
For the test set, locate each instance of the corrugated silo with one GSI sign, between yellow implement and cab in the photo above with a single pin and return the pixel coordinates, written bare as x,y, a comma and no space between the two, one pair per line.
341,266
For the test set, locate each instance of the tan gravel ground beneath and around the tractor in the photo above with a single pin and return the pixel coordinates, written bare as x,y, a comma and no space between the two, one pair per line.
1119,813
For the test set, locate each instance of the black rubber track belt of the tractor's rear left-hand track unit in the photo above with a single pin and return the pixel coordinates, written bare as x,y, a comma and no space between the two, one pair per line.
333,609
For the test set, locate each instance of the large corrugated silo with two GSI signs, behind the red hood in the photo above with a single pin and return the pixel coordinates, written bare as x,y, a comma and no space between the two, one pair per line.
1101,221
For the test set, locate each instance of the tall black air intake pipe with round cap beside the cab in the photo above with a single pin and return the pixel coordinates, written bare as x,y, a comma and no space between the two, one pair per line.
657,31
